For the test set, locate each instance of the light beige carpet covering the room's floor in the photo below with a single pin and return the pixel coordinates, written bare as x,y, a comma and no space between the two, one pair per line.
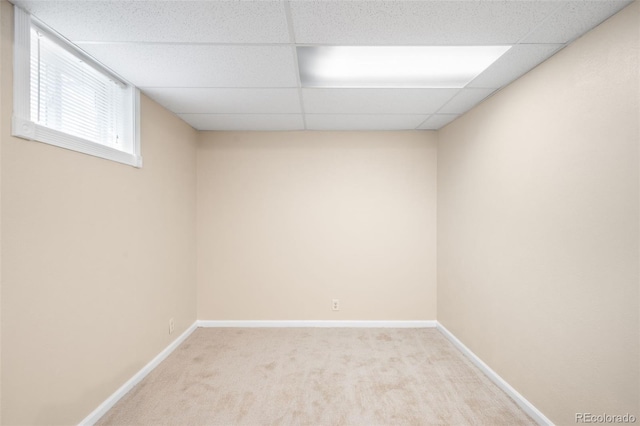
316,376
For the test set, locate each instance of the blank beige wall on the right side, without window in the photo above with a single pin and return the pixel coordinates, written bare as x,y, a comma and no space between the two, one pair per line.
538,227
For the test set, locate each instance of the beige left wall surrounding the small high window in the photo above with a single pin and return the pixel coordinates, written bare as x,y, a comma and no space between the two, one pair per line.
97,256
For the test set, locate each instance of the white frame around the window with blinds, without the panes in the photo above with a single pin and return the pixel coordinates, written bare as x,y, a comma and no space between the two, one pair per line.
24,127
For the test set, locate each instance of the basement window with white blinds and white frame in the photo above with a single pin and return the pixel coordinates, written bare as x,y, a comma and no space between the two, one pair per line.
65,98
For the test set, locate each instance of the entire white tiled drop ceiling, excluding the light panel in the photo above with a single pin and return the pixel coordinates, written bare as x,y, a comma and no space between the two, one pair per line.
231,65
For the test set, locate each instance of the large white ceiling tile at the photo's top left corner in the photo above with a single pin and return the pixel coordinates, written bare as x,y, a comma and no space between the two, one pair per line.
171,21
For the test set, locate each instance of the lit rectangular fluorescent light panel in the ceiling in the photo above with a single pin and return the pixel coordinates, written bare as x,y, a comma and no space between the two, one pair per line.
394,66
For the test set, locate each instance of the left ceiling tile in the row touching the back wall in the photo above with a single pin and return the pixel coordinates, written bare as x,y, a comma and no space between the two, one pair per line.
266,122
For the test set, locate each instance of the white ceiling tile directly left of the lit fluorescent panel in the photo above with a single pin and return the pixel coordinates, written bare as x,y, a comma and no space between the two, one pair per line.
168,65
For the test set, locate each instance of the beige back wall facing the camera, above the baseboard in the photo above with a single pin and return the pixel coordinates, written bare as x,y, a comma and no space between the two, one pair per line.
289,220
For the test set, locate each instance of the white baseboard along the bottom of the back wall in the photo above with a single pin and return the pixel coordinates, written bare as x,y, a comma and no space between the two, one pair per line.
319,323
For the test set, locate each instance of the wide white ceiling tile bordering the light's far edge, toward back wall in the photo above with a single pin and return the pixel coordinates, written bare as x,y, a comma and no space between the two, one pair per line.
375,101
